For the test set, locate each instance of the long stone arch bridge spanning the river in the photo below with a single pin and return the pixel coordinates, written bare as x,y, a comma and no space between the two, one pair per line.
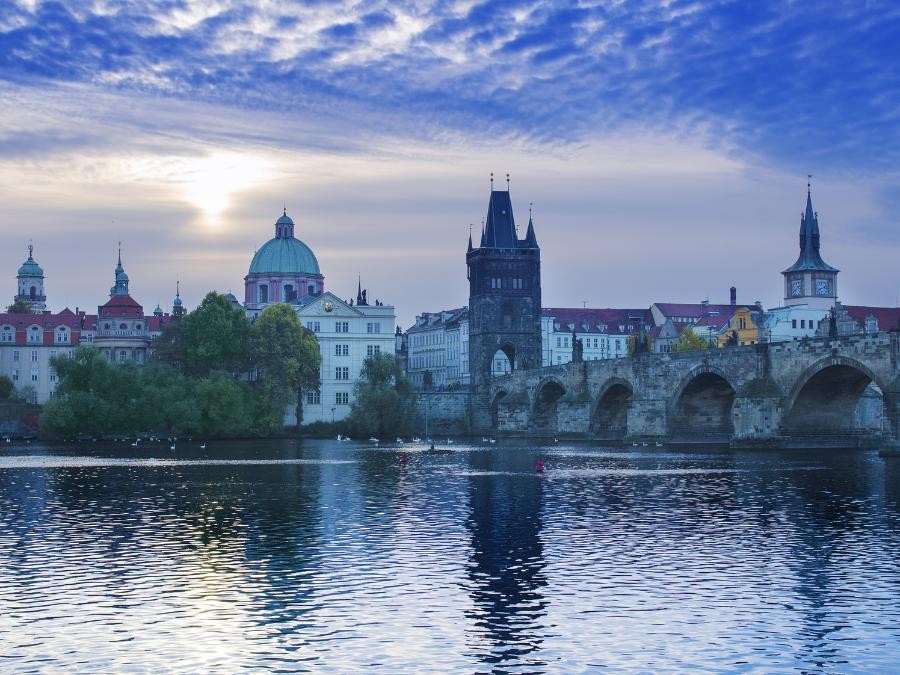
810,392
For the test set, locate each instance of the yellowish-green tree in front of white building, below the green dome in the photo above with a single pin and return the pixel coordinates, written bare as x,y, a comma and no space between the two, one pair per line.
286,356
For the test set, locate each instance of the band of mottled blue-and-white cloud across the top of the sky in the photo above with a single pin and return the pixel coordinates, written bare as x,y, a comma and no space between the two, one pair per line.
799,84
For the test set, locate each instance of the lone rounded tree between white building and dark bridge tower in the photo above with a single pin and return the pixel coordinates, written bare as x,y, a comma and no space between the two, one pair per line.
385,401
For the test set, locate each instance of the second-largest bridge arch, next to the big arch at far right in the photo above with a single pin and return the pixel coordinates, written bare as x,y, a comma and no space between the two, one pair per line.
702,405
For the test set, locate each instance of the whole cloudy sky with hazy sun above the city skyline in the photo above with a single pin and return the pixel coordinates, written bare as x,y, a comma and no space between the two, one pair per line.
665,146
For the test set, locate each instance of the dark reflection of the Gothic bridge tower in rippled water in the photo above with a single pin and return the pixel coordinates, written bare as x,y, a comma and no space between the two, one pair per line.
506,564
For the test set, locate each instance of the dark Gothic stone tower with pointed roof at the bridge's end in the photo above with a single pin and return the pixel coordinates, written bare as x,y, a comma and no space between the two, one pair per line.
504,293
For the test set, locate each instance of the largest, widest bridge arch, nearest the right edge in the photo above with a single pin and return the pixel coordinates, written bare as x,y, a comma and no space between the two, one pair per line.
827,398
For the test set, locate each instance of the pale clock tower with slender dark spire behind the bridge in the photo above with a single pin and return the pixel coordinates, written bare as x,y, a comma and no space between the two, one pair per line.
810,280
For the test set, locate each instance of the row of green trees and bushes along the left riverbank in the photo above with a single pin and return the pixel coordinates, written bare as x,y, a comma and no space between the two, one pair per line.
215,375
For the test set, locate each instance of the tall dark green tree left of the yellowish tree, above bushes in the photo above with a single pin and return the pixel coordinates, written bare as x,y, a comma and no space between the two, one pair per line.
215,337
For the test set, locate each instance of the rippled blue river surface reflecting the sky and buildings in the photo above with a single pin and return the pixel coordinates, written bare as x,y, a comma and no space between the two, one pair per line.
337,557
